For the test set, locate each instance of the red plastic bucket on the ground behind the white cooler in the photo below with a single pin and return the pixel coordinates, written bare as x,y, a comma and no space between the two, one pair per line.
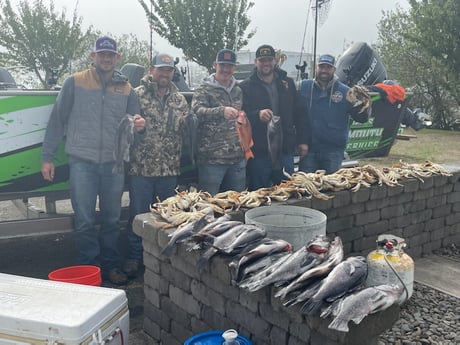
84,274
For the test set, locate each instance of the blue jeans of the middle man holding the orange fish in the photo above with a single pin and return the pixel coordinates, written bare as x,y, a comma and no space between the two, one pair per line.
214,178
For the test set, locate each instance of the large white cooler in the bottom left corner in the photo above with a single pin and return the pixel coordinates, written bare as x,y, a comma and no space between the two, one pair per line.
36,311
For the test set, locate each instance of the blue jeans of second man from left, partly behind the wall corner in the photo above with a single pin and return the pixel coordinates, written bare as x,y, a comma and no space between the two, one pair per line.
143,191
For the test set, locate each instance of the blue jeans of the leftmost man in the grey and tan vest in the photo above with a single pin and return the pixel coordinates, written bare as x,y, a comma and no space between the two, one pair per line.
87,182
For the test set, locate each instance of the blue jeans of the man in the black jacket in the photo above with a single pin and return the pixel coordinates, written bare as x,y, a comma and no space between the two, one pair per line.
261,173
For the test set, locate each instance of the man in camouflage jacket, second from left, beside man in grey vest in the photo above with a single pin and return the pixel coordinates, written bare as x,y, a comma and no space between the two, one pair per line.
155,158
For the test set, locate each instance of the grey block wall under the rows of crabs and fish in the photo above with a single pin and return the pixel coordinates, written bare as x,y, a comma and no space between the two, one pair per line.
179,302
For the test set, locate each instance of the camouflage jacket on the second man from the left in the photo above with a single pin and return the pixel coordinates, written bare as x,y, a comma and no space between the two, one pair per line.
158,151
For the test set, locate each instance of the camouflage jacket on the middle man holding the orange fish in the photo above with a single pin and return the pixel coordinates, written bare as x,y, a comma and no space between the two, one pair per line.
217,137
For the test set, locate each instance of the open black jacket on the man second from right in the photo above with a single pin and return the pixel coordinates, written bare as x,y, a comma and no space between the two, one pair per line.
256,97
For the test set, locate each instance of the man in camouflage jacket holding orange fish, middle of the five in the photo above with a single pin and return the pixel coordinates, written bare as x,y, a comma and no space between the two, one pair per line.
216,103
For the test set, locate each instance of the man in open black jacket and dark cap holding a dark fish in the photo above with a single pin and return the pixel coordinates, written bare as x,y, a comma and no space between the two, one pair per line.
269,100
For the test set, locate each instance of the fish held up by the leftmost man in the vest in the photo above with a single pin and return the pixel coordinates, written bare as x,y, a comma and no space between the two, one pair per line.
124,138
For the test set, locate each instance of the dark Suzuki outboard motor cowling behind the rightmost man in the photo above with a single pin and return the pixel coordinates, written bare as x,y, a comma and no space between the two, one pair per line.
360,65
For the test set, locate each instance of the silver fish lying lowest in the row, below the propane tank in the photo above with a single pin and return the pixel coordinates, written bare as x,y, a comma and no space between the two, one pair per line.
357,306
